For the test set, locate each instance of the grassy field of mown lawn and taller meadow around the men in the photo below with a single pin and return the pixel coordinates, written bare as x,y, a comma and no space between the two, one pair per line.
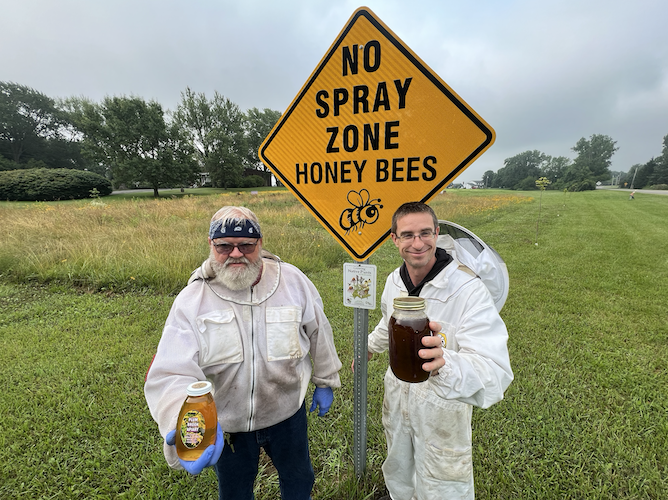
85,288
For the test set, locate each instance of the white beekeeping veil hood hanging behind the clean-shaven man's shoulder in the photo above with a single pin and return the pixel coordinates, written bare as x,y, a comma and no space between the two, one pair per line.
475,254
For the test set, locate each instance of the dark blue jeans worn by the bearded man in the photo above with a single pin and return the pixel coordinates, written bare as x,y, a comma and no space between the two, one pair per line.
286,443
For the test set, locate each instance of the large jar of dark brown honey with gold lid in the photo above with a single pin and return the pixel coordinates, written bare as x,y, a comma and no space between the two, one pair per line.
408,324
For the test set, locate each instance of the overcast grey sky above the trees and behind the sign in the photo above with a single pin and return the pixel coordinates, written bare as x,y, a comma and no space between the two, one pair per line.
542,73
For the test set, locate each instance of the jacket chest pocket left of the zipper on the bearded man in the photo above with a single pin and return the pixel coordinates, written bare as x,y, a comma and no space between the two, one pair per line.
220,340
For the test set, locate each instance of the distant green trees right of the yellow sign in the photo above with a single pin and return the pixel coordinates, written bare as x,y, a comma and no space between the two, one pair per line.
591,166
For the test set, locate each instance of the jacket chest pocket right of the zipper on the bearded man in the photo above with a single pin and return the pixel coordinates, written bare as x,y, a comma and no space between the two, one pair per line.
283,333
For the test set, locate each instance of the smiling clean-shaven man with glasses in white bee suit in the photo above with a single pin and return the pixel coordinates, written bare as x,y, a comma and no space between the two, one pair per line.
428,424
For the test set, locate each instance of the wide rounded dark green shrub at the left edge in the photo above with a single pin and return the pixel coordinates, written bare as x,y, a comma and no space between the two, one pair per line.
43,184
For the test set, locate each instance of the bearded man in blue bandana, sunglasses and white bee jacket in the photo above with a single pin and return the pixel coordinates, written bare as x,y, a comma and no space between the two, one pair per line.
255,327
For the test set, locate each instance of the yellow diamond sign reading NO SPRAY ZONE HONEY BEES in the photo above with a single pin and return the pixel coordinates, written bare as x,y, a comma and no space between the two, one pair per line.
372,128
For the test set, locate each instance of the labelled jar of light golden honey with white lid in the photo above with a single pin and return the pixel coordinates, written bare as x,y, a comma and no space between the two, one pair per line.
197,423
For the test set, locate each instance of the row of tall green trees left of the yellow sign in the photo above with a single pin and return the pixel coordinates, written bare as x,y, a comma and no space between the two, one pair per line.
131,141
